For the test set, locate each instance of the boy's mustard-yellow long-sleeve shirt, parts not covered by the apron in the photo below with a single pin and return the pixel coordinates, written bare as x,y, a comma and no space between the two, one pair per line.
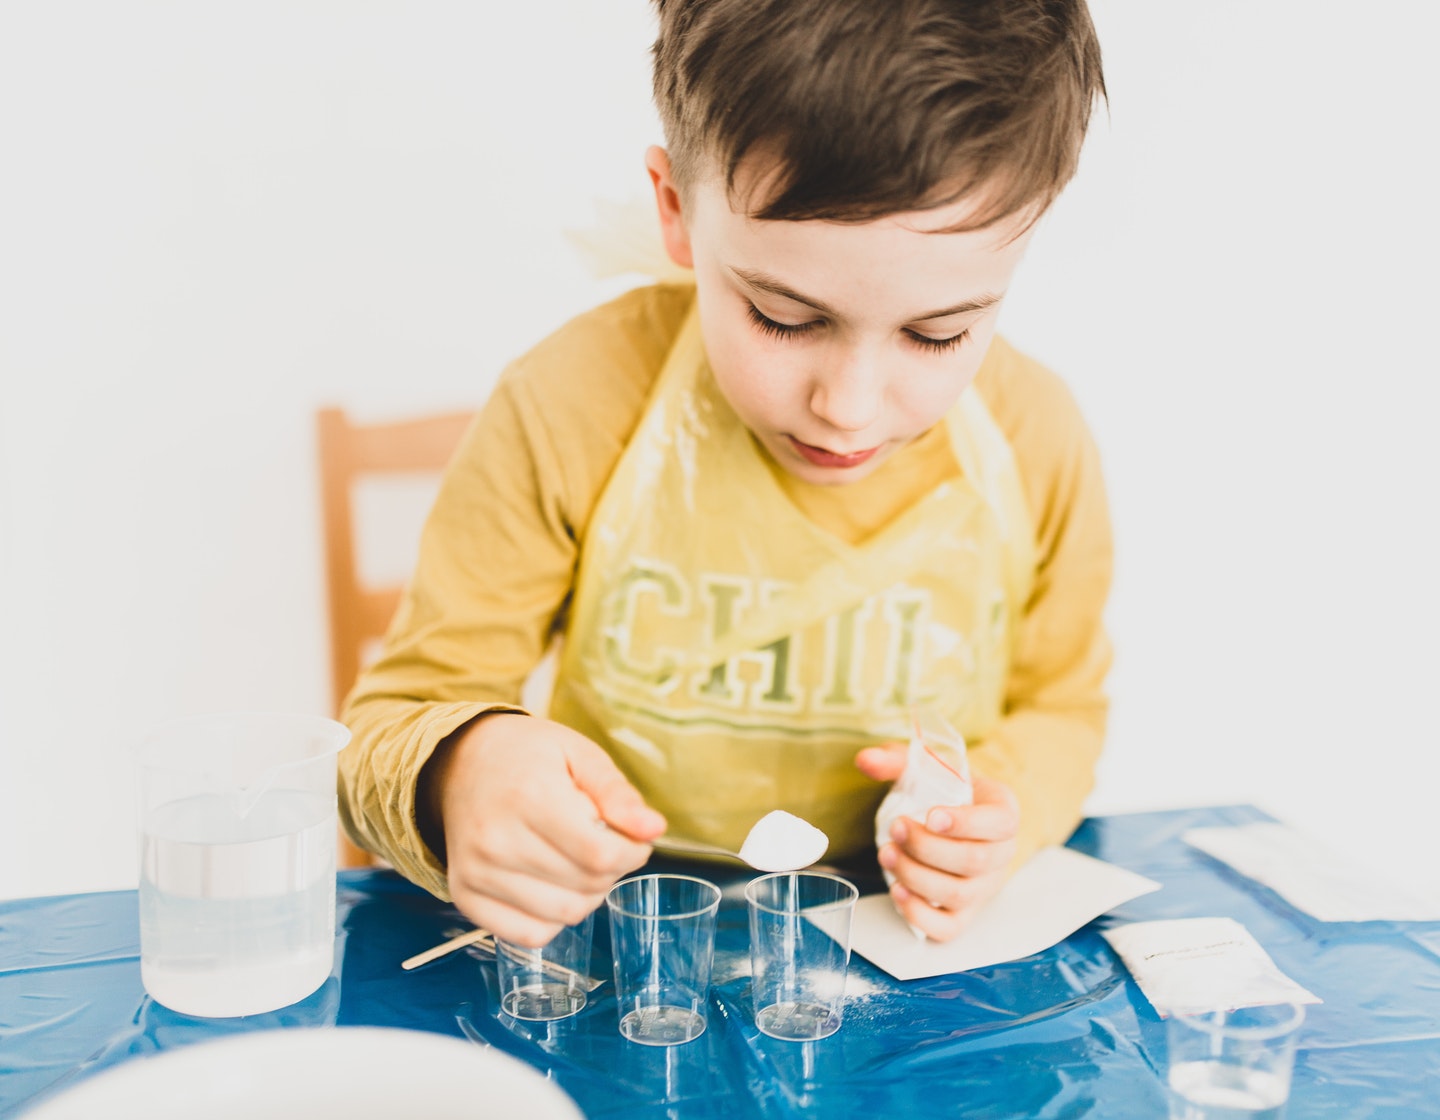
502,545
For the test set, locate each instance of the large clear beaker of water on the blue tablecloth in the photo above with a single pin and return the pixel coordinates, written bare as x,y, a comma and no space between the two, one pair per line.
238,862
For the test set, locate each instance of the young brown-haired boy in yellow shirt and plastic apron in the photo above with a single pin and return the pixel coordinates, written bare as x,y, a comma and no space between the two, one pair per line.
774,512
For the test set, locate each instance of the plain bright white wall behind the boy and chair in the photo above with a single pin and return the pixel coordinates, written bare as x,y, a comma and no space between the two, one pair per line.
215,218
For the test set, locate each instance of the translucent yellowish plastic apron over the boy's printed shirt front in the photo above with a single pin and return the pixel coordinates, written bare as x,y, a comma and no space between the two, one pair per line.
732,656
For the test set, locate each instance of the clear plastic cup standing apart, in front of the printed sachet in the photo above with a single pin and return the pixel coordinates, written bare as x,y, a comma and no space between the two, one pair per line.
1232,1065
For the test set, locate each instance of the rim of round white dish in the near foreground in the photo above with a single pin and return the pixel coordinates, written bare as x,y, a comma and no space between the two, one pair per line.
361,1073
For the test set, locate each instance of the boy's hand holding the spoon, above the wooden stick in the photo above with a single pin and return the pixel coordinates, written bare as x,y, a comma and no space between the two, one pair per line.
539,824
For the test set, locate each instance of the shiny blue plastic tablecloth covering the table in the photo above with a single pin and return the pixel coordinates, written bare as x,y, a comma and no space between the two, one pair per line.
1059,1034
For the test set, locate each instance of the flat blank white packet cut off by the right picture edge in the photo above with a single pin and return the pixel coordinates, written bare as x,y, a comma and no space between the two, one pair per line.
1311,876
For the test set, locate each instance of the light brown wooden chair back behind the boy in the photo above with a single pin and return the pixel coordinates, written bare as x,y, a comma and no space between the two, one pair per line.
359,614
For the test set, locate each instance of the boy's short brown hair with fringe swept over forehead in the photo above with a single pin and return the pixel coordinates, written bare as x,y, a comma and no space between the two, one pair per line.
876,107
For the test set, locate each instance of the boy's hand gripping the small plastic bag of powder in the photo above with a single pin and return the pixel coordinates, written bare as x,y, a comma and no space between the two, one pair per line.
948,866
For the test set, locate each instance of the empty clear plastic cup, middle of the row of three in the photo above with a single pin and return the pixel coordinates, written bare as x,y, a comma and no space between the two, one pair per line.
663,932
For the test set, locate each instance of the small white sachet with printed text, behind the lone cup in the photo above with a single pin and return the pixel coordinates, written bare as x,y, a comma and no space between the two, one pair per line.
1197,965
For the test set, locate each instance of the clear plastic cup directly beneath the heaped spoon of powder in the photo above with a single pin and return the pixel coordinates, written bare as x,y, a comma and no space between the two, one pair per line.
800,952
